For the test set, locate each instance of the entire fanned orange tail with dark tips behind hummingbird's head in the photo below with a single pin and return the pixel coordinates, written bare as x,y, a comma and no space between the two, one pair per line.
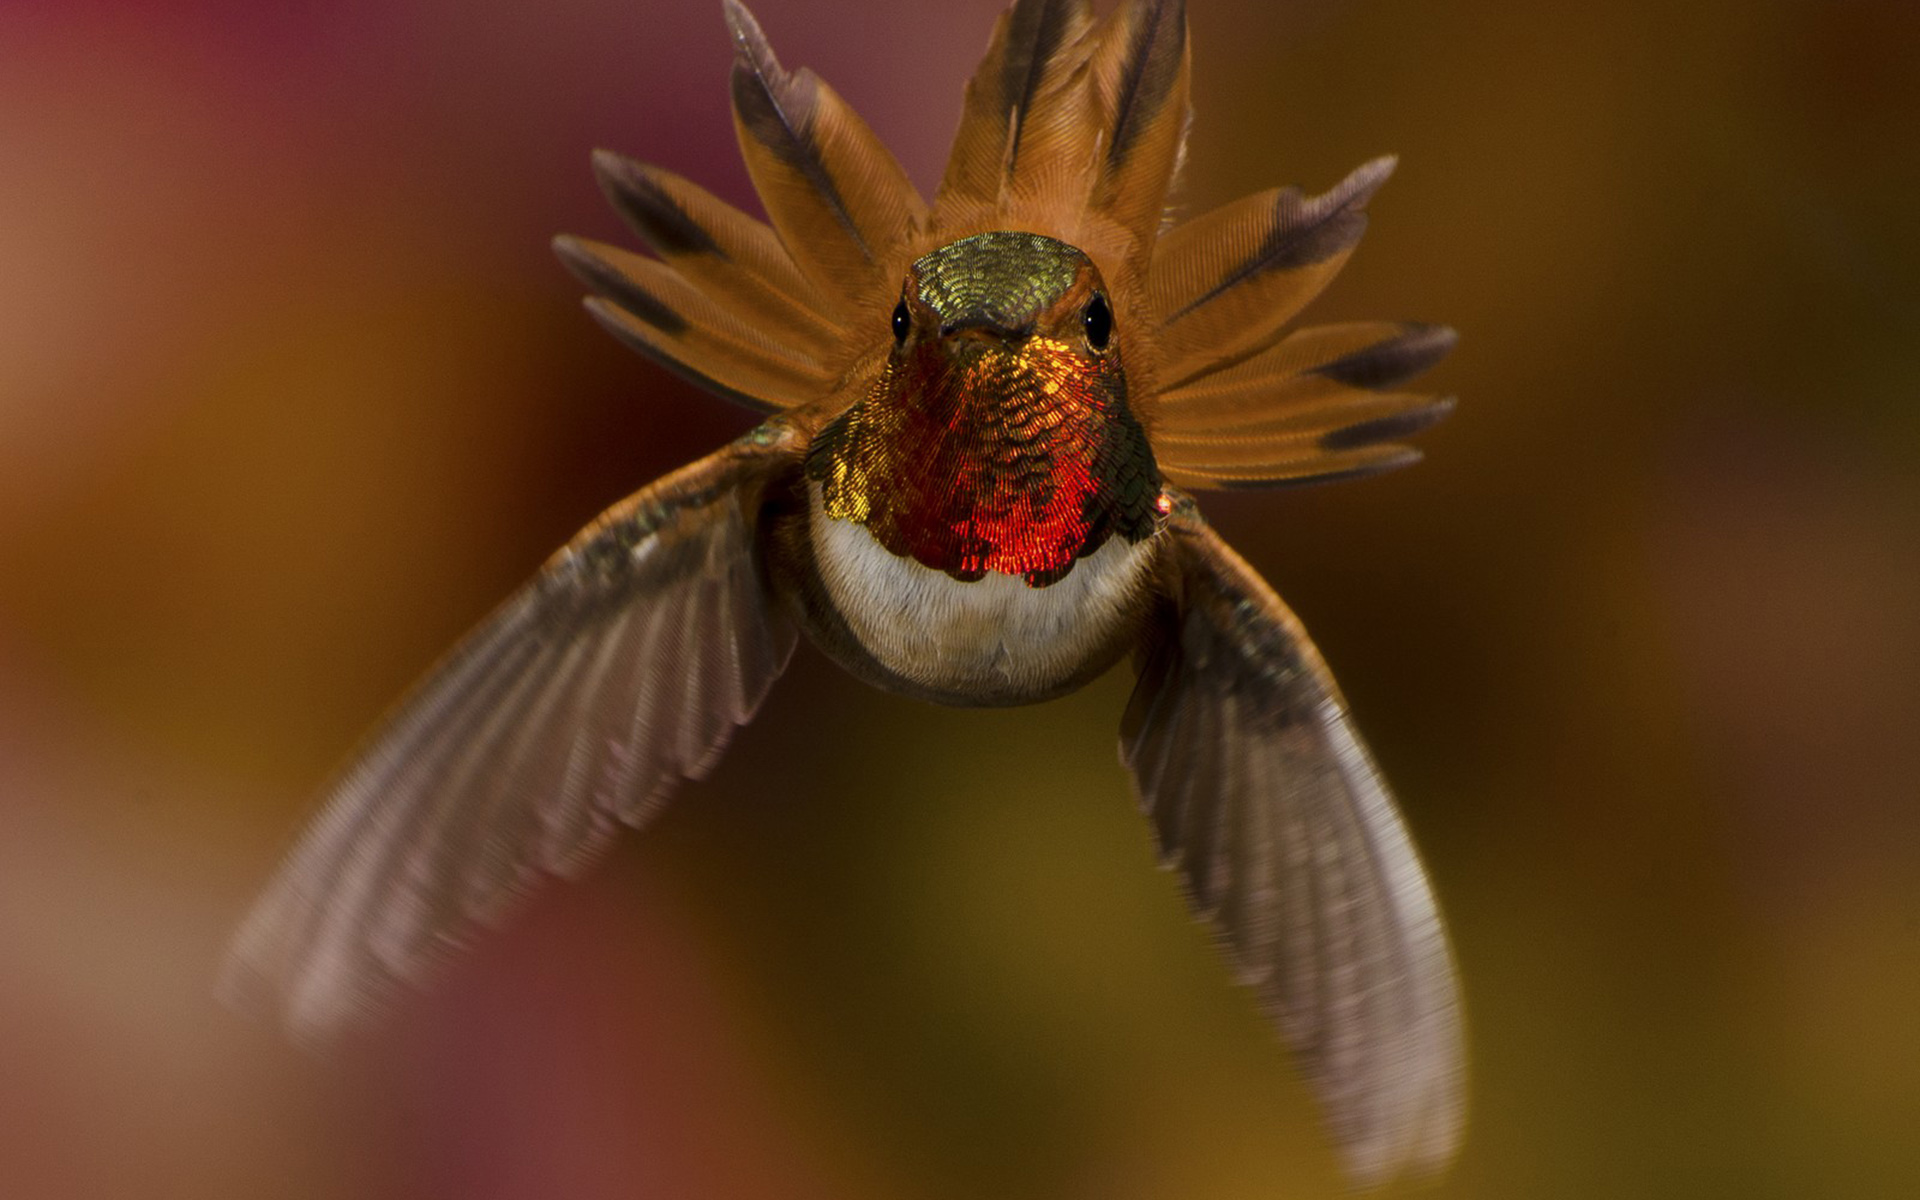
1072,128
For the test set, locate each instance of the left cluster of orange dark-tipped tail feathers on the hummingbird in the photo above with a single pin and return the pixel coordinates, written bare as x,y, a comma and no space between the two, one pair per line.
769,316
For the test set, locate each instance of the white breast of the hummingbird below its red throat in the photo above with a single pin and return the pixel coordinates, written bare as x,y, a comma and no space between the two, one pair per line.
988,635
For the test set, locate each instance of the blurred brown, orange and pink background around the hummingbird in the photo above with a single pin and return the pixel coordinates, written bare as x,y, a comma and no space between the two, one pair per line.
293,391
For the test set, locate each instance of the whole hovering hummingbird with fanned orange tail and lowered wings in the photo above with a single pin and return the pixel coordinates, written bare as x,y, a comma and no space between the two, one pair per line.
984,425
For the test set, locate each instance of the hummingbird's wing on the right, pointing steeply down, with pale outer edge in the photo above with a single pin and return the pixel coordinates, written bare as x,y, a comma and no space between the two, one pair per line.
1276,815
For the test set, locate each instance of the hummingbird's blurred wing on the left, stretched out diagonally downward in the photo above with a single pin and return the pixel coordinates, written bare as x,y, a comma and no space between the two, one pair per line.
581,704
